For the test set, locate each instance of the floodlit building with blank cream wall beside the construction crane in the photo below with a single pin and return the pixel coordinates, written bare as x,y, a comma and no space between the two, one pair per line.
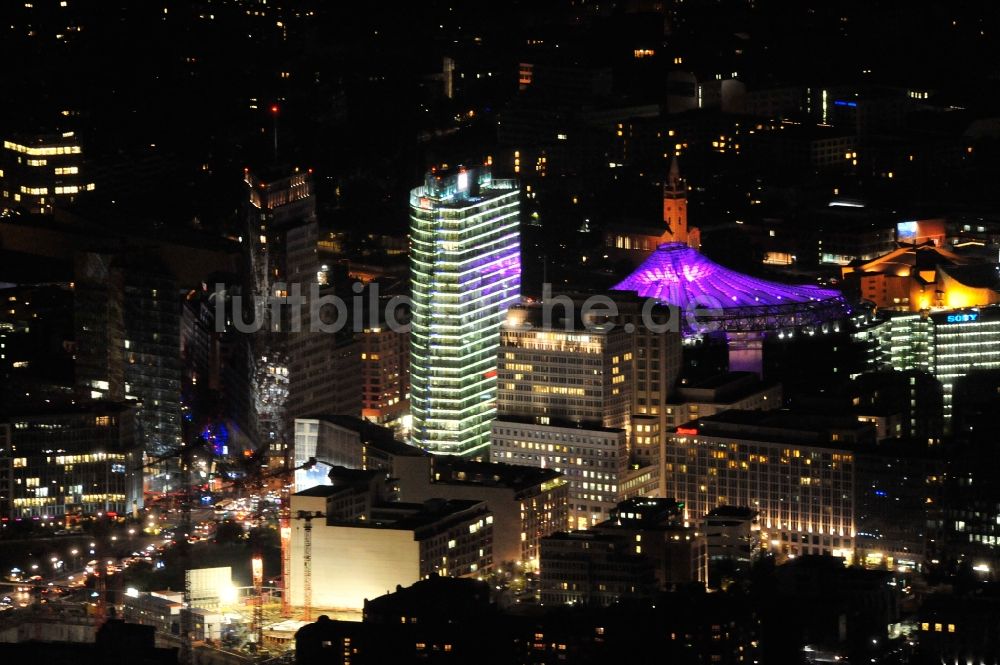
363,546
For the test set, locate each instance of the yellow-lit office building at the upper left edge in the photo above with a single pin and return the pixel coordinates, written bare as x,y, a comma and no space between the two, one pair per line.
40,172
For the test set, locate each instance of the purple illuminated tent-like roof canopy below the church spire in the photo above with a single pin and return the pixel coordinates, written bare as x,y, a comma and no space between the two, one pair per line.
678,275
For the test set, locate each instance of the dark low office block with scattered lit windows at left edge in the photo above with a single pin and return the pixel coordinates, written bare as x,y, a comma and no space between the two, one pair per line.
61,462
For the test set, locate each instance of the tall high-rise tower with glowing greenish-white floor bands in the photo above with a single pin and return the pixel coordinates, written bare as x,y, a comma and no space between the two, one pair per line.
465,269
